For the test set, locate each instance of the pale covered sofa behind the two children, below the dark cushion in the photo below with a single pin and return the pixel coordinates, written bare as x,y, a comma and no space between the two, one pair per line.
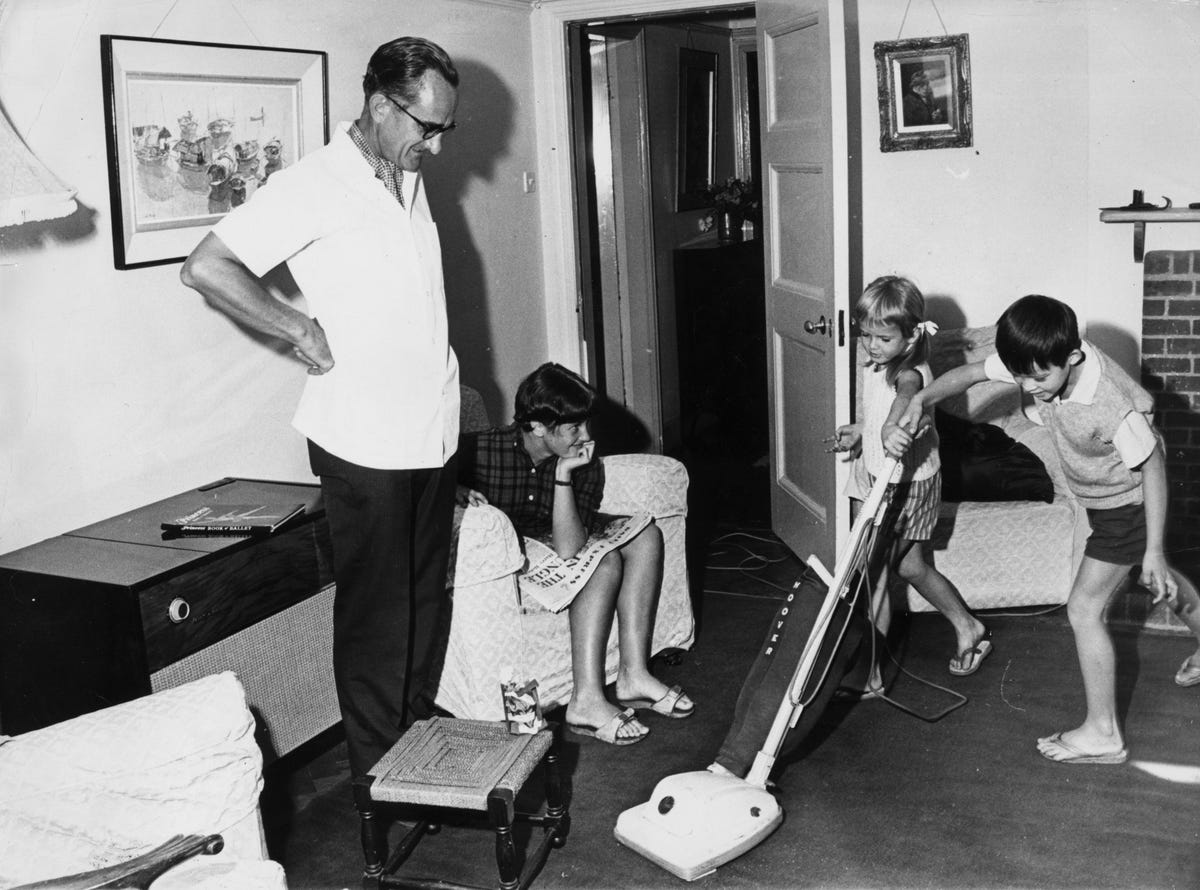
1004,554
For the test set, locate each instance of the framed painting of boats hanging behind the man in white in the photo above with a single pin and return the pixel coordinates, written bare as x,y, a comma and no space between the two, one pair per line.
194,130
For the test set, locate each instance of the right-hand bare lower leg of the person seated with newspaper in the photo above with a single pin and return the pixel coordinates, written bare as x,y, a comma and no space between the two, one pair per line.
637,606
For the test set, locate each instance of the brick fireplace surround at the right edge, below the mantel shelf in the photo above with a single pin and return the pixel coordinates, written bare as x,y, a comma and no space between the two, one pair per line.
1171,370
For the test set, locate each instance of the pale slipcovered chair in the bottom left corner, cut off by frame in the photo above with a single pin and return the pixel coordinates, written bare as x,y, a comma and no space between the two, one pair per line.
106,787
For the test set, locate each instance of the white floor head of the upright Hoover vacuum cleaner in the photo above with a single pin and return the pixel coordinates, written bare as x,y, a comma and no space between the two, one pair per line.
695,822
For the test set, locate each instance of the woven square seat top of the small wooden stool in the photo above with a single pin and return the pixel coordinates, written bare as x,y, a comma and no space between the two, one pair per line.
457,763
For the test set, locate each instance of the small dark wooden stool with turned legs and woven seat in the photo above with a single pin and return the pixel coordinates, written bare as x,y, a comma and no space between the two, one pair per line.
460,765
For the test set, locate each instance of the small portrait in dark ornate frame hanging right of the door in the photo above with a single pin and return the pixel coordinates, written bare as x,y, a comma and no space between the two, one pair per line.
925,93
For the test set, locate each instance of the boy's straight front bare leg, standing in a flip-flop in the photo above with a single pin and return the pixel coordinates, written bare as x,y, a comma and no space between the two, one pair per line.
1095,585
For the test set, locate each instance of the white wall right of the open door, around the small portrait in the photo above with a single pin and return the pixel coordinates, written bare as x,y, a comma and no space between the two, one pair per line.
1076,104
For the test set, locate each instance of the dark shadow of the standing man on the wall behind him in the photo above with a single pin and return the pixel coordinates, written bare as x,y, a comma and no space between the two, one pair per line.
470,154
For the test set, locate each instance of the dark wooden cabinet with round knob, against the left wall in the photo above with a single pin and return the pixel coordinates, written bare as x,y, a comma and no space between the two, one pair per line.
115,611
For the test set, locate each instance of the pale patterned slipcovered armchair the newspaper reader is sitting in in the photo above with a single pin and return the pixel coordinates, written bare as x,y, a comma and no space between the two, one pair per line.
495,635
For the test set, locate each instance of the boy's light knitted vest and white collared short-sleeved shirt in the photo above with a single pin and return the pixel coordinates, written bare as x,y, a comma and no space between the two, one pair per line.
1106,417
